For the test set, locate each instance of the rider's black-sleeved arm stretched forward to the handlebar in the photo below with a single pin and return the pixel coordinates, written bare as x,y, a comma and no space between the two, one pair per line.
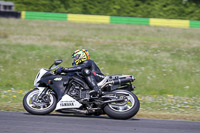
85,64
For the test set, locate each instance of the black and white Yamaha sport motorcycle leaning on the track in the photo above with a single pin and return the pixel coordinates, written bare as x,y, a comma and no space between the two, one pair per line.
69,93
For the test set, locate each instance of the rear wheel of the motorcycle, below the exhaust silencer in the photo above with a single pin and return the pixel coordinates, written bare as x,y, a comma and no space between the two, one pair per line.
123,110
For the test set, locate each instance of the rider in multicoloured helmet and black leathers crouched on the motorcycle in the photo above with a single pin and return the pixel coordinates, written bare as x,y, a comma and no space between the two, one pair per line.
87,67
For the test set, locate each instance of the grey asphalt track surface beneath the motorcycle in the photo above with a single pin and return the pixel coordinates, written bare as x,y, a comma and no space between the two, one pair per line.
19,122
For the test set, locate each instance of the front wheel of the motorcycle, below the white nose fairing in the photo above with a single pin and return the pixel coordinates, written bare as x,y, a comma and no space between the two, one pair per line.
35,106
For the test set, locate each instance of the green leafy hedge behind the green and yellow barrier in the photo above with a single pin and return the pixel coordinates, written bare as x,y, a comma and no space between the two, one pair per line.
170,9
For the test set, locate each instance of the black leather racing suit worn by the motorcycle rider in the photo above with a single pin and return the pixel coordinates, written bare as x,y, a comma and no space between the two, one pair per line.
90,71
